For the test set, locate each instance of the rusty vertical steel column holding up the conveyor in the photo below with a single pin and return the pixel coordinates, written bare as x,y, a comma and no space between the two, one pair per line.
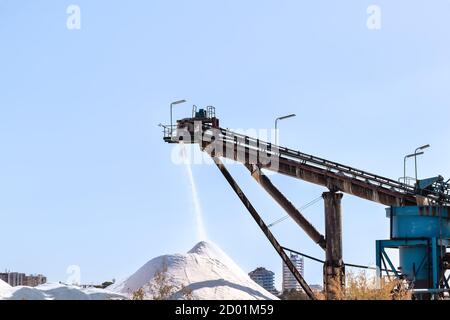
334,270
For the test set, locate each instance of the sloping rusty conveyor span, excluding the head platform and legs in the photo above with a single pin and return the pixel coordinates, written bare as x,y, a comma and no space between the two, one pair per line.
332,175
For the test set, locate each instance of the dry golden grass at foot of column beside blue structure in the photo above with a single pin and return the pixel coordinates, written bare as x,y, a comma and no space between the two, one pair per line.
361,286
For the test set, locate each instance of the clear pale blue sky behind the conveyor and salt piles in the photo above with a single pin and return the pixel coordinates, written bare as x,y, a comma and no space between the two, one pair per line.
85,178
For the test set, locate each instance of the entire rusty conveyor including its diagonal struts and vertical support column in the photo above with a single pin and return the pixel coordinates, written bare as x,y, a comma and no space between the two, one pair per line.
203,129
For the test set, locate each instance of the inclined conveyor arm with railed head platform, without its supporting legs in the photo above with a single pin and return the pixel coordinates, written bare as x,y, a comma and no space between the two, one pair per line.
203,129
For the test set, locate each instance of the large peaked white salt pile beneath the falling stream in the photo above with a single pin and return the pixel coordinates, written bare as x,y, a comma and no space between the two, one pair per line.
204,273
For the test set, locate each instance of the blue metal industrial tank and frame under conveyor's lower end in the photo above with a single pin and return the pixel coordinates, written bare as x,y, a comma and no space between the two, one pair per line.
422,235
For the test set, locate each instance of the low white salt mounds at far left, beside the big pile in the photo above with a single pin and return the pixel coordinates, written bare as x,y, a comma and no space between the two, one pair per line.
57,292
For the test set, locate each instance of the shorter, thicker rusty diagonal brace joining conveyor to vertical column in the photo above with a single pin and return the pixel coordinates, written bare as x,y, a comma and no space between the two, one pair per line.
291,210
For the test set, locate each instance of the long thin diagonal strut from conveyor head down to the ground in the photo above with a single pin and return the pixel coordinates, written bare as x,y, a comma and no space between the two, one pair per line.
264,227
